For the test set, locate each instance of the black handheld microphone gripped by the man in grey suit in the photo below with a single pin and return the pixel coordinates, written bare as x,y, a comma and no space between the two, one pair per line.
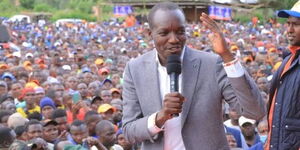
174,69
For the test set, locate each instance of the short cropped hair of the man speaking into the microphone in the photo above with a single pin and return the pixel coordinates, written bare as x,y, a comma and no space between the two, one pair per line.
166,6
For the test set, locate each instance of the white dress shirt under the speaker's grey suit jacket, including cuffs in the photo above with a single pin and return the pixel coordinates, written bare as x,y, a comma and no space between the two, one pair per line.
172,127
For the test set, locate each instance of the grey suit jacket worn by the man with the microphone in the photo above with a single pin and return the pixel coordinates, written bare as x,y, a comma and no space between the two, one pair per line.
204,85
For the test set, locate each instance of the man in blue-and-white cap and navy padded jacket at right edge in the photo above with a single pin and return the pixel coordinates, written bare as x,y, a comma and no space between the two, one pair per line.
283,113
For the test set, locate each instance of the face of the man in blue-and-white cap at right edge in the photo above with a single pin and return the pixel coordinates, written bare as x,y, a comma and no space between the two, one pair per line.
293,31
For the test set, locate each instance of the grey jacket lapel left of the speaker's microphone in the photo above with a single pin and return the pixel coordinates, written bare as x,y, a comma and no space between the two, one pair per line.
152,80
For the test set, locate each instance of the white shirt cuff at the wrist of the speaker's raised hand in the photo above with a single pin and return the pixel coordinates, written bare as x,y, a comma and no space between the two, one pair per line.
234,69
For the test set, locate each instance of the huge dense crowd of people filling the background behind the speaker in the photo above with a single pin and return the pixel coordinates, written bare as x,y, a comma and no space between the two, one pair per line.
61,85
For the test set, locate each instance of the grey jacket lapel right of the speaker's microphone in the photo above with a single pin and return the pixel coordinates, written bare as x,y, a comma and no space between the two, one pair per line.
190,71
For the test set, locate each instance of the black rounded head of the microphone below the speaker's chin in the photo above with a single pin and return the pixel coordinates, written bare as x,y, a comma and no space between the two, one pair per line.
173,64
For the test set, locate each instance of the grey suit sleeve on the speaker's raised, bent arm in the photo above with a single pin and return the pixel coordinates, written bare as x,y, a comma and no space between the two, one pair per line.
241,93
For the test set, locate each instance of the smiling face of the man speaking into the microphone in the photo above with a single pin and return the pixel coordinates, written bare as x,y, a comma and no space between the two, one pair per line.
168,32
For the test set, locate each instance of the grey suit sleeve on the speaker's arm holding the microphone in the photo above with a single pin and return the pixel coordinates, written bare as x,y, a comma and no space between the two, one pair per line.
135,124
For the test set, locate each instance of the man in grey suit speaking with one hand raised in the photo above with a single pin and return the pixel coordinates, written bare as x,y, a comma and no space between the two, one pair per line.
206,80
